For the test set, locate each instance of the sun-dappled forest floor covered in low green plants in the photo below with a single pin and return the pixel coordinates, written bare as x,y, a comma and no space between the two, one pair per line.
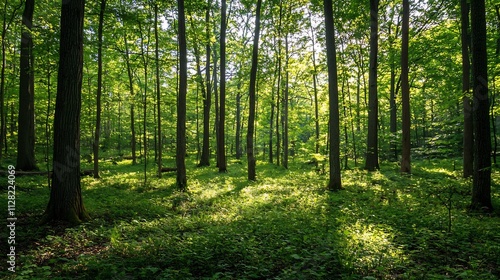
286,225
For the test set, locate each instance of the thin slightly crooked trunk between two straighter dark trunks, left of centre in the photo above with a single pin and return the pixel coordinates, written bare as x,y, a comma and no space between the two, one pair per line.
205,151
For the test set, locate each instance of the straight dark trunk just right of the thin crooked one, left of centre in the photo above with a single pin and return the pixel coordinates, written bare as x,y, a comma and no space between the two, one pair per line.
221,149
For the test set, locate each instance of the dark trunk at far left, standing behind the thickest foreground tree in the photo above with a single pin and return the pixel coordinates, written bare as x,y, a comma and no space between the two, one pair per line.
26,116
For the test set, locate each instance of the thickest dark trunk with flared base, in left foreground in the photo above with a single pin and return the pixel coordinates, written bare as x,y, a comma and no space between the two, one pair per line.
66,201
